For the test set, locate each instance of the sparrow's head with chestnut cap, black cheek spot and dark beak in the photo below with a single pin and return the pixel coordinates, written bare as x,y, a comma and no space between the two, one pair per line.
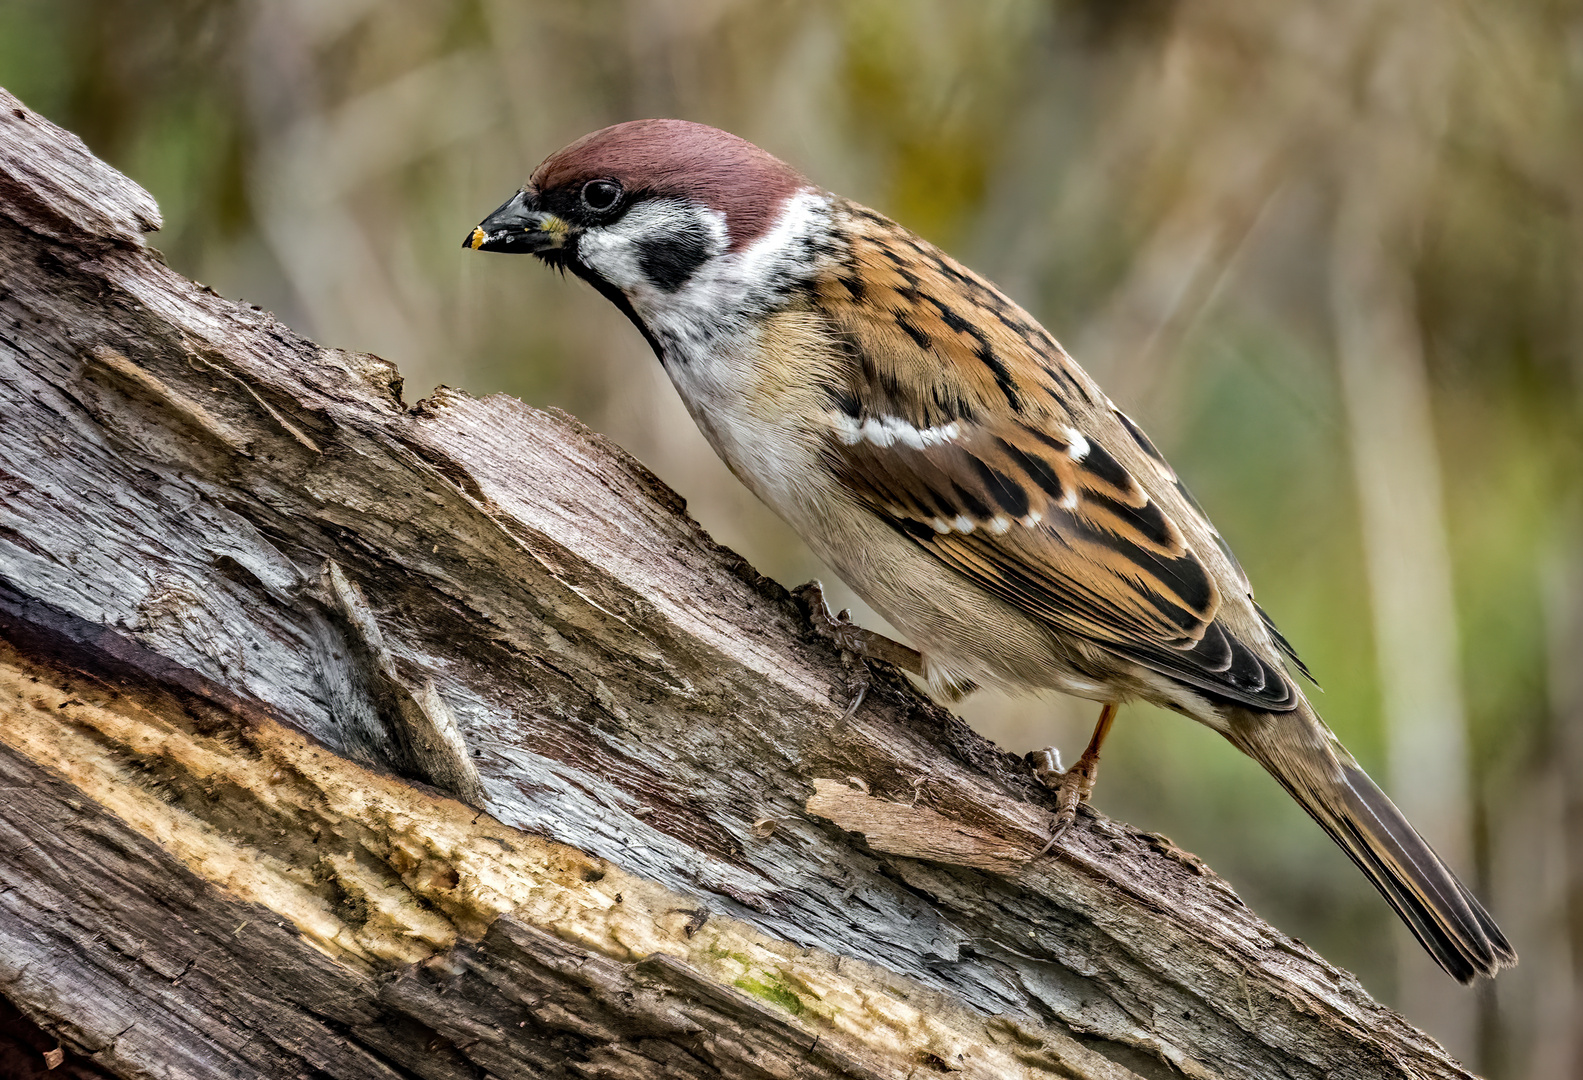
642,207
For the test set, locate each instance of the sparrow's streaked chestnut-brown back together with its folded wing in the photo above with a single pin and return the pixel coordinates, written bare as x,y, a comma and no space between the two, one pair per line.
968,428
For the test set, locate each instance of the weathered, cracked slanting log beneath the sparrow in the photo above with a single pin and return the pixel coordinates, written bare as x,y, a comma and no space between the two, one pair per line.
343,737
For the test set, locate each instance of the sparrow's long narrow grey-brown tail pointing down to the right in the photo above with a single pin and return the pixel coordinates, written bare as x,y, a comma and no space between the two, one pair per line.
1448,921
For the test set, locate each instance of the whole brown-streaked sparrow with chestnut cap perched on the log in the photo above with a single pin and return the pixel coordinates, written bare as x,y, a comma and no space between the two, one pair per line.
940,451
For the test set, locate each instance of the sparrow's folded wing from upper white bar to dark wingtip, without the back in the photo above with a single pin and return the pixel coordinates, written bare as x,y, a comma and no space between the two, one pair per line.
1077,546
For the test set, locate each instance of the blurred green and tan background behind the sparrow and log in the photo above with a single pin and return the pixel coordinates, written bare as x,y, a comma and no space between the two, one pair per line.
1331,256
